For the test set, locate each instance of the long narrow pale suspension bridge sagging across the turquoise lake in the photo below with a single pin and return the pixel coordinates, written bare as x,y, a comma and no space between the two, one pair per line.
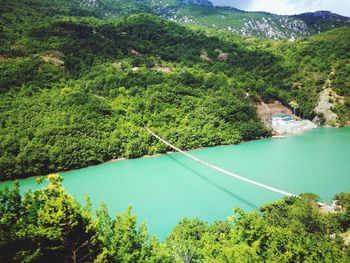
234,175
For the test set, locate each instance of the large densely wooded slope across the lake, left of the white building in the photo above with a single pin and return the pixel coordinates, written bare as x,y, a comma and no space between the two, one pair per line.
77,91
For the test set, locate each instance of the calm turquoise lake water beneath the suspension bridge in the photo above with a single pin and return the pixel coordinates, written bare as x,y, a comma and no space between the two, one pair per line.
164,189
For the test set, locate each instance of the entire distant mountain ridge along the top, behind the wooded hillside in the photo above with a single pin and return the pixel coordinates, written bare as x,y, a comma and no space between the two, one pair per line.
203,13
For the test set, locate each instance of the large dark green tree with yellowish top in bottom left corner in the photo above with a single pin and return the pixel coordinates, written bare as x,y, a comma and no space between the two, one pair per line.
46,225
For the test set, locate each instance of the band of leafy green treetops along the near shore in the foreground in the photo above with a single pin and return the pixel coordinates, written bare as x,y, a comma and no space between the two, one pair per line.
48,225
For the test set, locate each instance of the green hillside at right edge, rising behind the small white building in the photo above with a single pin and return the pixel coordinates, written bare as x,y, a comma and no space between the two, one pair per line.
321,64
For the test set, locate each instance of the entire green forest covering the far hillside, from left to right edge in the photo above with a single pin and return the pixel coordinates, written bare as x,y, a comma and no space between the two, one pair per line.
77,89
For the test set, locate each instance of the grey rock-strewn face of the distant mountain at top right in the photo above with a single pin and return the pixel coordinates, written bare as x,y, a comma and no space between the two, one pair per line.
259,24
